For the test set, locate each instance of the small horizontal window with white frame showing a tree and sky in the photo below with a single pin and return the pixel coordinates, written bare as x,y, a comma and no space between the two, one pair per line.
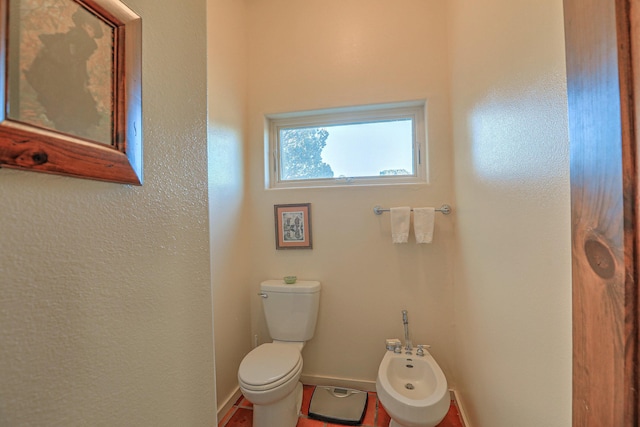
372,145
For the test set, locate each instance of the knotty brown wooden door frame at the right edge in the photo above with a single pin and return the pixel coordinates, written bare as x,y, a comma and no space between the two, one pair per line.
603,79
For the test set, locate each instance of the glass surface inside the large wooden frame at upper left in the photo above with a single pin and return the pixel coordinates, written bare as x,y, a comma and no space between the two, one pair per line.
61,75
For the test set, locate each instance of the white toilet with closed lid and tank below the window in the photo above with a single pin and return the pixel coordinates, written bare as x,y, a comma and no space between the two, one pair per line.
269,375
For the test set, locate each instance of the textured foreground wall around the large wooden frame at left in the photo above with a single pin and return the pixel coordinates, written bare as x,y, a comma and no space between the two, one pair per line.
105,297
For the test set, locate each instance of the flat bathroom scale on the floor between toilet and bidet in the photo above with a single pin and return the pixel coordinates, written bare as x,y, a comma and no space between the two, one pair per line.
338,405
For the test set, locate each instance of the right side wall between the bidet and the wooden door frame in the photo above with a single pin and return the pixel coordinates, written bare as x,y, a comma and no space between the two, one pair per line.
513,286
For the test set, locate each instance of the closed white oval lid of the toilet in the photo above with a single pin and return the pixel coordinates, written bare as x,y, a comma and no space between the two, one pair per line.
268,363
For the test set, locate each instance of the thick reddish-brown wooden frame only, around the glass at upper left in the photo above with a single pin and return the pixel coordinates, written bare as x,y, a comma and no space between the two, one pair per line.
28,147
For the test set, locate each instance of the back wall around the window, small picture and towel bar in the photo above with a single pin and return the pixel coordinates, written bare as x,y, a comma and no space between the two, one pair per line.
333,53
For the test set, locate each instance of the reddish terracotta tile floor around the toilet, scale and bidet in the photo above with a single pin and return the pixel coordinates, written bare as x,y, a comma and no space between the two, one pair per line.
241,415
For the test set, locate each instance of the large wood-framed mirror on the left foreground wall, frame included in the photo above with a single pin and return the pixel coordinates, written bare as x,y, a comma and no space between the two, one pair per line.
70,74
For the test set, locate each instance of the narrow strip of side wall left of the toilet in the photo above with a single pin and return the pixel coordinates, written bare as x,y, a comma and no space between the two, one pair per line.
227,69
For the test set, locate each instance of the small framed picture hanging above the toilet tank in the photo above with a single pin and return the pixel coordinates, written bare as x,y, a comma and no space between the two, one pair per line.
293,226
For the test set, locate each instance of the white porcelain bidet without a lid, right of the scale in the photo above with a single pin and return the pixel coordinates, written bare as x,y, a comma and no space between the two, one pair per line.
412,389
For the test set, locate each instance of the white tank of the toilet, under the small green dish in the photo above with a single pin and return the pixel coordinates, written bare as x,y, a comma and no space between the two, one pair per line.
291,310
